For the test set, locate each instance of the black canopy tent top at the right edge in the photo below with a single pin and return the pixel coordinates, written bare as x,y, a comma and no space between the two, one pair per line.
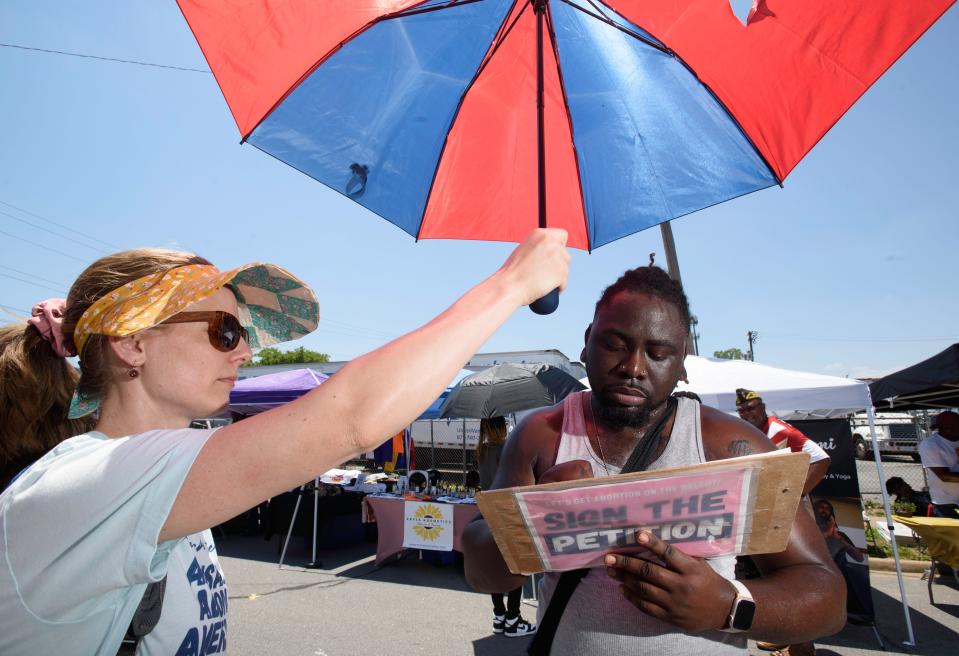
932,383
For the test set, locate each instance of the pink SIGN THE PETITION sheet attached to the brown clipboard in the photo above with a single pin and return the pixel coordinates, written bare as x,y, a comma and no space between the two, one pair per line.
701,514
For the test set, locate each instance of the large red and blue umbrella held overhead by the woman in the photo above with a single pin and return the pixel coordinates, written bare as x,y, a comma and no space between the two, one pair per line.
481,119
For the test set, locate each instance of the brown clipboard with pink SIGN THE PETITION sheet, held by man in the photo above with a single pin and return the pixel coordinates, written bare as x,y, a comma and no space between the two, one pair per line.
736,506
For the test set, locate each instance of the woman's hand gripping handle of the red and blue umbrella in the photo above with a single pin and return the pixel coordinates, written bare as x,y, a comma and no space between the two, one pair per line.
539,265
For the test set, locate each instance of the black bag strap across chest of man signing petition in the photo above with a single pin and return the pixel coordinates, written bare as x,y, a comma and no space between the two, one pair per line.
641,457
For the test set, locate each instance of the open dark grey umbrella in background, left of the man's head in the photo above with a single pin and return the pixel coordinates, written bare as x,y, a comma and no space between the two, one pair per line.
505,388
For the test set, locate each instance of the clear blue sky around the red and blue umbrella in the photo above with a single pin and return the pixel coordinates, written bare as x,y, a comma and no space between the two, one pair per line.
850,269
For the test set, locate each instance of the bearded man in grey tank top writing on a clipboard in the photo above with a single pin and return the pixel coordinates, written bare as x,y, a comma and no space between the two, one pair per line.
670,603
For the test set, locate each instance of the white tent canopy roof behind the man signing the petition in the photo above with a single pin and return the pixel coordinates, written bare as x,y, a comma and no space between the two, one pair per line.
786,393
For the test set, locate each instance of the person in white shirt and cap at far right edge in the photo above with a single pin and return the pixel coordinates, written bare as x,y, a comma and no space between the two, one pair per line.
940,456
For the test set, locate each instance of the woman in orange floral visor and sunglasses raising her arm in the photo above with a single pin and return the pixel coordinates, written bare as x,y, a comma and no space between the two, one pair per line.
160,336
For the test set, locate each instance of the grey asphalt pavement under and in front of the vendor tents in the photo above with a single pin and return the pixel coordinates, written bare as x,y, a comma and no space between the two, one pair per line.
410,606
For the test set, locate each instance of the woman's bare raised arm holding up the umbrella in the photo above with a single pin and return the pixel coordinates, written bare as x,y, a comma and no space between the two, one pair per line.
365,402
